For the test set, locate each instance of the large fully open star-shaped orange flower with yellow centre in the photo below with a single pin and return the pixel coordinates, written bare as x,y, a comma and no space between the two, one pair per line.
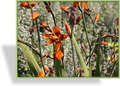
56,37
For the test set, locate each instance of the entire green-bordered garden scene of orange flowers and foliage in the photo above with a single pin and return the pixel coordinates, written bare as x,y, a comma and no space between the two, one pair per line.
67,39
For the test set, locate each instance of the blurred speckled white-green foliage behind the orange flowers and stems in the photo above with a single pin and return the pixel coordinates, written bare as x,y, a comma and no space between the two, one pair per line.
108,12
